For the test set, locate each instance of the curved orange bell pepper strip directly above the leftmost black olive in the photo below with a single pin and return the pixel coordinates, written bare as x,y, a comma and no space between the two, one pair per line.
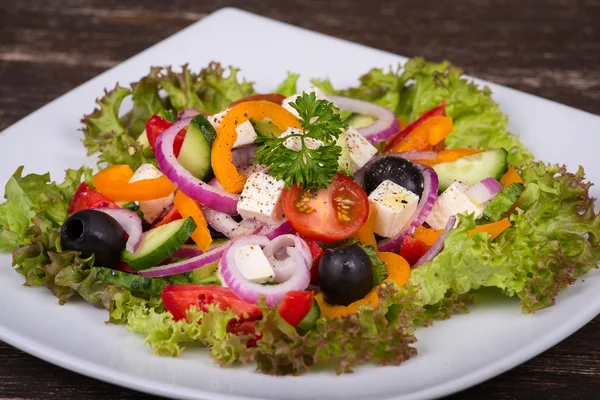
113,182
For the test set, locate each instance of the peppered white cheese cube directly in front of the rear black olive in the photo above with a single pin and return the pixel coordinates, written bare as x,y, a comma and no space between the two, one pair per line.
394,205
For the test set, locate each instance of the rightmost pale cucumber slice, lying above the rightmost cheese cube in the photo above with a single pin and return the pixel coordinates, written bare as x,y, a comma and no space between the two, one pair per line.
472,169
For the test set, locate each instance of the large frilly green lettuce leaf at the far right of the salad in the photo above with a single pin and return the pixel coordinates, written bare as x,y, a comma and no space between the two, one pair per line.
553,240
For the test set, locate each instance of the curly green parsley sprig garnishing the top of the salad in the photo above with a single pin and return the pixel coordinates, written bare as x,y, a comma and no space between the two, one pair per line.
309,167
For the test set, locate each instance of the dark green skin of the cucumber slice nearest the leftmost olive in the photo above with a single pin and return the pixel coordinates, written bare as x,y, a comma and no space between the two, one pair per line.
164,251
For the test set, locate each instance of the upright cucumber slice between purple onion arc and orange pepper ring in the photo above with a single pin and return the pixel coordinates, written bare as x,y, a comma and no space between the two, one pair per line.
195,151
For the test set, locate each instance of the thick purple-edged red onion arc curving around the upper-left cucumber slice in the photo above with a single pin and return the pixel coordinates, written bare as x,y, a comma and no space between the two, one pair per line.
211,197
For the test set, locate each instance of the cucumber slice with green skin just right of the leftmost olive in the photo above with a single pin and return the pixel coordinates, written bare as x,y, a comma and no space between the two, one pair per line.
160,243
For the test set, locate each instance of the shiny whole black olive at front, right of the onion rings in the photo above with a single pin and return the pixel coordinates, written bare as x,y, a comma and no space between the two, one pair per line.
345,274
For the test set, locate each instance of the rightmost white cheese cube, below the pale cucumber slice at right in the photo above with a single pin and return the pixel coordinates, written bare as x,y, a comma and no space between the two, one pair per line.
452,201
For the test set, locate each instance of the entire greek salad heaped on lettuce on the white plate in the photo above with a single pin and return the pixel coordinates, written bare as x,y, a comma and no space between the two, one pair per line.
300,228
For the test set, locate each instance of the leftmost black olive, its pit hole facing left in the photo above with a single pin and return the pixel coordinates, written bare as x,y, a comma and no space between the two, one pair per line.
94,232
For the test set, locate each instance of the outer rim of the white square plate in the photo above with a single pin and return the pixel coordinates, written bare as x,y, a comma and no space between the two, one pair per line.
125,379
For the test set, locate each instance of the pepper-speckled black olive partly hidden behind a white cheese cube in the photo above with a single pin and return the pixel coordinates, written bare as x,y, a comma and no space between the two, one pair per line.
395,169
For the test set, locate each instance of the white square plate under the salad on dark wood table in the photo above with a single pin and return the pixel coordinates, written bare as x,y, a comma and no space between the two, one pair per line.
453,354
